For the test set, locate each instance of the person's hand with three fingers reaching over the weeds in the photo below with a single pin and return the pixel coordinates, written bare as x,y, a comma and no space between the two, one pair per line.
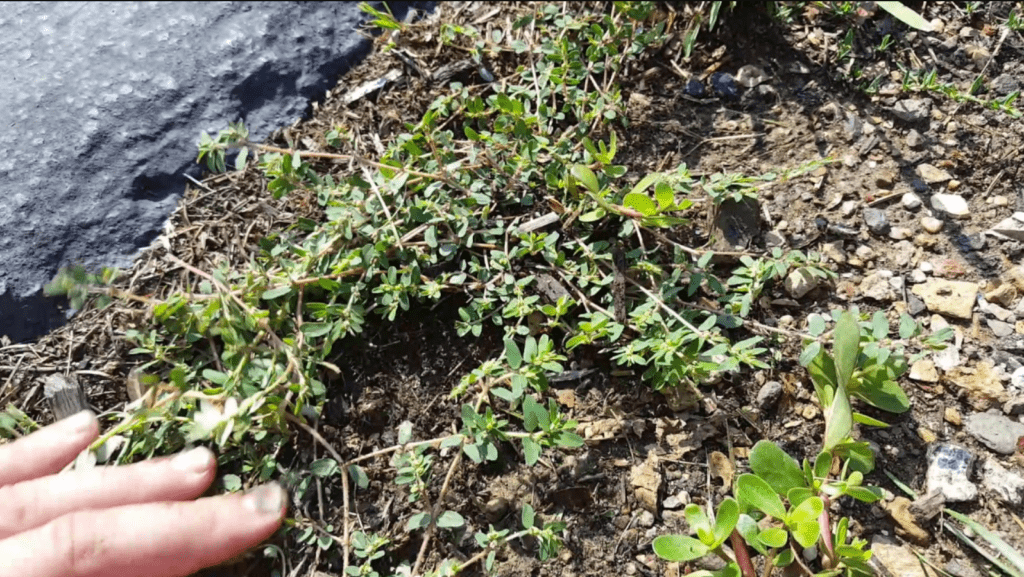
125,521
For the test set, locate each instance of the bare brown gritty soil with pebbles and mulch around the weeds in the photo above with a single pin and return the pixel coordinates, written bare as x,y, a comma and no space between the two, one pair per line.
806,110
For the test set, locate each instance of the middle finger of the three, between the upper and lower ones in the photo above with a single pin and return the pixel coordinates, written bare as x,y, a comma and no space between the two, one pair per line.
32,504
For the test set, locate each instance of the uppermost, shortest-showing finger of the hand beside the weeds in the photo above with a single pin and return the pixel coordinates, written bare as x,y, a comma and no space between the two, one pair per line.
49,450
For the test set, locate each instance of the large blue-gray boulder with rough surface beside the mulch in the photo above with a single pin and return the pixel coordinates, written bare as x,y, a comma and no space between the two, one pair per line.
103,105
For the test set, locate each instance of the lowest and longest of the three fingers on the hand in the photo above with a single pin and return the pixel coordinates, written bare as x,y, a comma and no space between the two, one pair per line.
169,540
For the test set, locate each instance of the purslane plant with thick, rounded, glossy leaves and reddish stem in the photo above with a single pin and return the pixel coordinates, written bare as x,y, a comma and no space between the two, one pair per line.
784,507
